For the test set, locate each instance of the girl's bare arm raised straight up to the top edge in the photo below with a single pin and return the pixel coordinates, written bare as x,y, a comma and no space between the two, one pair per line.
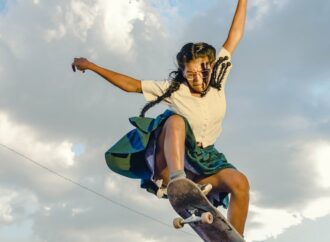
237,27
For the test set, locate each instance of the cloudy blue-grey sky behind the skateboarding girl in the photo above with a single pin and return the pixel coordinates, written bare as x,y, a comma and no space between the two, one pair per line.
276,129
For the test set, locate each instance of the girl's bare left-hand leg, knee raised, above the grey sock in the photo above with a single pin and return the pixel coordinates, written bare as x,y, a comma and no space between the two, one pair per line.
170,148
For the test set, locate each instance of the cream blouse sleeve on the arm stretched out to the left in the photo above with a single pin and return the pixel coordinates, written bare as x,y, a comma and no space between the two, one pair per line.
152,89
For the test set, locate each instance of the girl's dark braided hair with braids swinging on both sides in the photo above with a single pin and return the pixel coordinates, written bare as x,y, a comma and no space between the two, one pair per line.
189,52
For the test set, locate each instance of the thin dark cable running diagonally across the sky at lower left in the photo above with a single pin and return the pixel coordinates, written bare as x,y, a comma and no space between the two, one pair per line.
91,190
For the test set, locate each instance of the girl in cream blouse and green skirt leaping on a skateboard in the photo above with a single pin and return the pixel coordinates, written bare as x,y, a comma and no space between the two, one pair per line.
179,143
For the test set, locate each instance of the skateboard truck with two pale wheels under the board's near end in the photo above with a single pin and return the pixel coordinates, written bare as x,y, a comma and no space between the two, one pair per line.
196,216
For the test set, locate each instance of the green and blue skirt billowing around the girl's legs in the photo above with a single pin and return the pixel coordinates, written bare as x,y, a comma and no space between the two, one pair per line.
127,157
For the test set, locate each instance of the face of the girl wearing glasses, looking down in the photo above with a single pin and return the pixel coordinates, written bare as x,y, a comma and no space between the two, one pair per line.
198,74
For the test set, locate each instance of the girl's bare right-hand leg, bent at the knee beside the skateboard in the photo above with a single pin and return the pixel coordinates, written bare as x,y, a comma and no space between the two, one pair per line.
236,183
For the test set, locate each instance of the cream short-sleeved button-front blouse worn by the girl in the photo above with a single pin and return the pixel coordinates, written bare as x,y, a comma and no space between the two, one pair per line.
204,114
